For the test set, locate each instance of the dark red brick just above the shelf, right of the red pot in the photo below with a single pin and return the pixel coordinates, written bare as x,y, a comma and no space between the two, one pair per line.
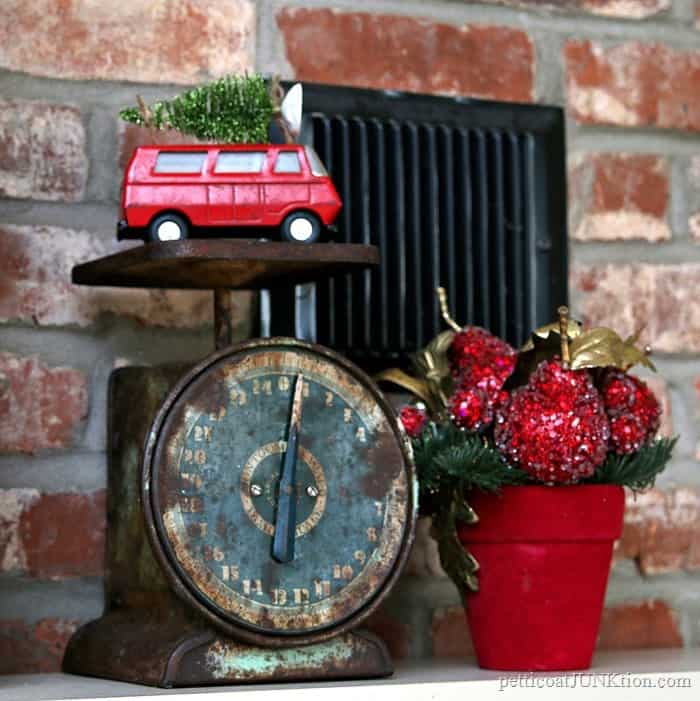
647,624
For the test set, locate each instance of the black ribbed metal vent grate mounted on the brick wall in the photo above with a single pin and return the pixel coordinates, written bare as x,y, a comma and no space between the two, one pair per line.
461,193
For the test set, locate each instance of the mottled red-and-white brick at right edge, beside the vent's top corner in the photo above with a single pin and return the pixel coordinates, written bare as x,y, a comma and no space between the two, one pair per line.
633,84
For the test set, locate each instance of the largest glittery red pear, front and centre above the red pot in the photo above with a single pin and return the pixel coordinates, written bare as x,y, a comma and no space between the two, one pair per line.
555,427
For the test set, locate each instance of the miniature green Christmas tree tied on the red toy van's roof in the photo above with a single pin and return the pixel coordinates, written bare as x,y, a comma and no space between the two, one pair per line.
233,109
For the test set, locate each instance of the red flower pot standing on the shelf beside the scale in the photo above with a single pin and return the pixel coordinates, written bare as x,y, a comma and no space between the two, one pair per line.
545,556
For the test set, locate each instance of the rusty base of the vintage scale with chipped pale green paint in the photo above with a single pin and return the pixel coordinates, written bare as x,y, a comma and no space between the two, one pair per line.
125,646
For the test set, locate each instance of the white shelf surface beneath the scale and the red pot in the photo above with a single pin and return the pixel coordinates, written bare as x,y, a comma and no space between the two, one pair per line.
637,674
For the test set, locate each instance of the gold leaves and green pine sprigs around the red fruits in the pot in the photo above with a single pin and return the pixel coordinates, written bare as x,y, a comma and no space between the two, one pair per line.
451,462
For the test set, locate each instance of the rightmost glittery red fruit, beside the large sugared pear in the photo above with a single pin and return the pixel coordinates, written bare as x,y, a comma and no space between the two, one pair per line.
633,409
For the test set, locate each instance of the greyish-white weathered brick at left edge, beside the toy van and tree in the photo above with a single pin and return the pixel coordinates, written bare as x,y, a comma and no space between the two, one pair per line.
42,151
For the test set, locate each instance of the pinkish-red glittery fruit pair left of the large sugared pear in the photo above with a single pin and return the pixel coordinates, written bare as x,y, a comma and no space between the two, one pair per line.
481,363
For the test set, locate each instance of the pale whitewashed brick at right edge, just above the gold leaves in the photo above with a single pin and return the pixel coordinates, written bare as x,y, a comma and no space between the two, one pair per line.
660,299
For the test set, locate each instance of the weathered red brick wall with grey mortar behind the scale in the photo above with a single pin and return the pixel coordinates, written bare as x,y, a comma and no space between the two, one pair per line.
628,72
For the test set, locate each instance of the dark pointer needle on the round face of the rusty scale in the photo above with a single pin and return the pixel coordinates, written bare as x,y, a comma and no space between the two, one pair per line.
285,521
